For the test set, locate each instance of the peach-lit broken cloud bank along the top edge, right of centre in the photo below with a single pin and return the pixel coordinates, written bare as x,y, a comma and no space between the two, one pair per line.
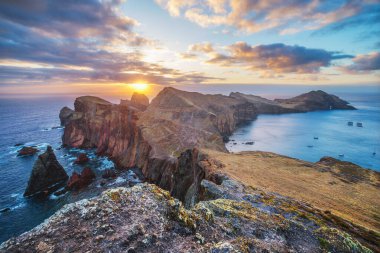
257,15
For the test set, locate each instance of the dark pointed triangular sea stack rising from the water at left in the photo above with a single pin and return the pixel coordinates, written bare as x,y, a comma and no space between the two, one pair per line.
47,174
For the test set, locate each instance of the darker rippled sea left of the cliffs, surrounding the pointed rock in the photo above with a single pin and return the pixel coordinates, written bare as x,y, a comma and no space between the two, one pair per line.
36,122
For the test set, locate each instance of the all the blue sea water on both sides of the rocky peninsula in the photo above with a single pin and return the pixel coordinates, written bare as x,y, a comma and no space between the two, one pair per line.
34,121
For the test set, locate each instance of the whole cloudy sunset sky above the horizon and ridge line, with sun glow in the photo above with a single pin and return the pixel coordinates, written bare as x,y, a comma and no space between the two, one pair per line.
105,47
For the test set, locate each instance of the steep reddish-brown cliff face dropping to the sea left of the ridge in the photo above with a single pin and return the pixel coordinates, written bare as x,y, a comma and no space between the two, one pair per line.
111,129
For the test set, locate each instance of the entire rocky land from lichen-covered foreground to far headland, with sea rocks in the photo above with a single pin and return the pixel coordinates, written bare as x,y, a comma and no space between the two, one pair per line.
198,197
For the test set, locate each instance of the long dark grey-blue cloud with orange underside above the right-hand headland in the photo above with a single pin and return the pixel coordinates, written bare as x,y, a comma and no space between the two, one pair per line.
276,58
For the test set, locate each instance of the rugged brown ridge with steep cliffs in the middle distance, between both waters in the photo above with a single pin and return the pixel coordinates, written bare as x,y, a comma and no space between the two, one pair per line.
163,139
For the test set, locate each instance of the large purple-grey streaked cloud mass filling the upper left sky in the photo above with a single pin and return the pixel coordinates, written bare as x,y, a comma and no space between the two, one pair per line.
79,41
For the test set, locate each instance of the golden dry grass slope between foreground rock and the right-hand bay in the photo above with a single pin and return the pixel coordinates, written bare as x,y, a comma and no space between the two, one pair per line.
318,185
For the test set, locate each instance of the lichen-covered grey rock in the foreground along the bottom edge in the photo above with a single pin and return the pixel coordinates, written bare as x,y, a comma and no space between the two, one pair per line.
147,219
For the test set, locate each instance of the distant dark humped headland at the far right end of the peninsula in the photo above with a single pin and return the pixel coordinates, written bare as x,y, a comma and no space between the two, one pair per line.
315,100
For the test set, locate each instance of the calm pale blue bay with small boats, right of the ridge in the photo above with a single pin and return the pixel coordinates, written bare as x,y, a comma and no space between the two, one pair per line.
310,136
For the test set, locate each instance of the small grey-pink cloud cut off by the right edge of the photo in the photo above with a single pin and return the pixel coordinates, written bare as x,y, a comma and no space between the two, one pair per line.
364,63
